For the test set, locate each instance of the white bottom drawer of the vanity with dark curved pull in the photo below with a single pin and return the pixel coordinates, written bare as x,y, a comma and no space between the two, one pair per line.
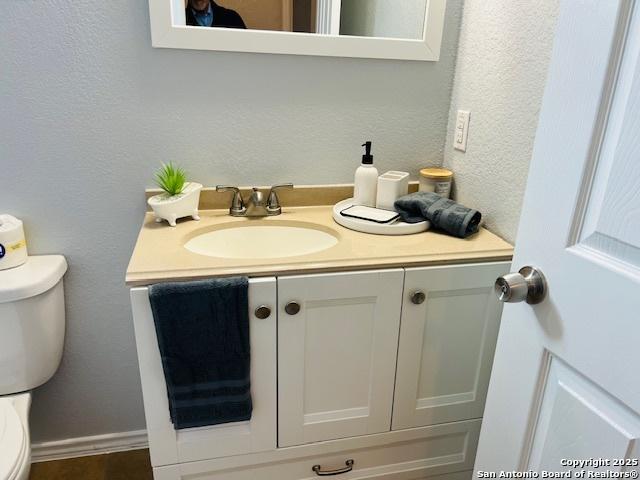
441,449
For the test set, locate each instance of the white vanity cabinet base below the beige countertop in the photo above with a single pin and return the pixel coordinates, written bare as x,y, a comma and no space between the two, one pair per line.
348,366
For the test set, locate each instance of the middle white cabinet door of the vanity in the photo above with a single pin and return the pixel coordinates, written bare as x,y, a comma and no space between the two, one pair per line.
337,355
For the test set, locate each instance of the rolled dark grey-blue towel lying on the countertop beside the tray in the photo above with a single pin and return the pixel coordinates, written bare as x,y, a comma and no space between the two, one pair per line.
443,213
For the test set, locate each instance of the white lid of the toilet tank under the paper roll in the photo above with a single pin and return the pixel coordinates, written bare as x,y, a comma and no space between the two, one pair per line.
37,275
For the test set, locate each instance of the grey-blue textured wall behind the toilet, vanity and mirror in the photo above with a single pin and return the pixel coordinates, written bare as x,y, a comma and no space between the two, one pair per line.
88,111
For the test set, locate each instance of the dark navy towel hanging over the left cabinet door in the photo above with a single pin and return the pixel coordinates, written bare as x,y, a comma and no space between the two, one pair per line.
203,336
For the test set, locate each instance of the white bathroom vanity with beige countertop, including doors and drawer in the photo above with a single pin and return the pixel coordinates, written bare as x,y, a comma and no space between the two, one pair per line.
370,358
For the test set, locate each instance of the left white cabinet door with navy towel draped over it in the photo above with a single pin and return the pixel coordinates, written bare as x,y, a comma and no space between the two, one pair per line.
168,446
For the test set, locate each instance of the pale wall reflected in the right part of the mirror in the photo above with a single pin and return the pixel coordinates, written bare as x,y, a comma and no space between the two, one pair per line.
383,18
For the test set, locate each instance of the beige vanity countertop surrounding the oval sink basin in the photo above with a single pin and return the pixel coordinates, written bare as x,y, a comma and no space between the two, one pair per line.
159,253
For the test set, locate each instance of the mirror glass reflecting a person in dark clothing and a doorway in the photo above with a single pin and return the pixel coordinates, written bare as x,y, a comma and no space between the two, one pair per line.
366,18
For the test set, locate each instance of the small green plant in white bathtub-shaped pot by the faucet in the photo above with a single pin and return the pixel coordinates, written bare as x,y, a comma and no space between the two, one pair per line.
179,199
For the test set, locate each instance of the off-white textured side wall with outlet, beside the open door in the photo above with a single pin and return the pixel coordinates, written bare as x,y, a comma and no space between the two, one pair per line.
504,51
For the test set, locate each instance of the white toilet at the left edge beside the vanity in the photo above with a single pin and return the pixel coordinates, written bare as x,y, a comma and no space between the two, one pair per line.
32,324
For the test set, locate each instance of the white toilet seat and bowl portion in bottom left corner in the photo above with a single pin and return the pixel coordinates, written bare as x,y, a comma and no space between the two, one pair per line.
15,456
